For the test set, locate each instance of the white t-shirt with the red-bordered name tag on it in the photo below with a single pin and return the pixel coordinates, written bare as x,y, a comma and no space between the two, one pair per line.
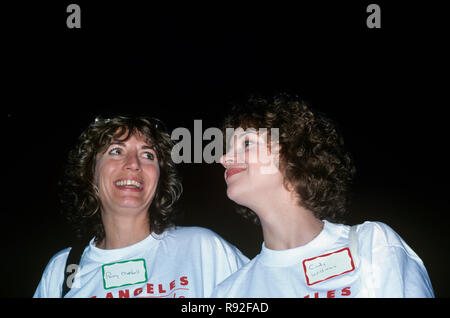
325,267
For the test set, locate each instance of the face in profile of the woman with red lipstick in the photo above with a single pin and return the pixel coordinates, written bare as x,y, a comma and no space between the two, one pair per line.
251,169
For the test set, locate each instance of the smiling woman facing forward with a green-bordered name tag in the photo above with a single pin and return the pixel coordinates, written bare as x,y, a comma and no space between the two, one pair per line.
120,188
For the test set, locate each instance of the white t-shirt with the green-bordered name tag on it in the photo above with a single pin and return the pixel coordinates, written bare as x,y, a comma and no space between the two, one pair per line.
181,262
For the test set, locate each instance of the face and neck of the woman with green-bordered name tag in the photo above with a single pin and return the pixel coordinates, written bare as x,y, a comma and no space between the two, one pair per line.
126,176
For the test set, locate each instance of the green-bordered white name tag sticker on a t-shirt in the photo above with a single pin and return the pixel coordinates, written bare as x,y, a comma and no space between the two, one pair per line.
124,273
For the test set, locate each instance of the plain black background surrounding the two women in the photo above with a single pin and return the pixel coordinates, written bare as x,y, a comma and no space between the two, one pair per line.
178,62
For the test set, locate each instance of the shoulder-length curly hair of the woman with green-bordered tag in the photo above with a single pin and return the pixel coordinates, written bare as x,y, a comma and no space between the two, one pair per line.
79,196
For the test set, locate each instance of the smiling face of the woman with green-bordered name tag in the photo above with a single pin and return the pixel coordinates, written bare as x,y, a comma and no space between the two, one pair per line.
127,175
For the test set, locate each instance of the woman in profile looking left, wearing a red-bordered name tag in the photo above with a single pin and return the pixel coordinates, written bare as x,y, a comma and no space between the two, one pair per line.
293,179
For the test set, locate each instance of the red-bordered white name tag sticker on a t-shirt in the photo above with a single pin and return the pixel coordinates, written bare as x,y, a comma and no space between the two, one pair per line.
323,267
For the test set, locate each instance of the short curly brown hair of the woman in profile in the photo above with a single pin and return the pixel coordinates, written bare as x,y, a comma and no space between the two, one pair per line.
312,158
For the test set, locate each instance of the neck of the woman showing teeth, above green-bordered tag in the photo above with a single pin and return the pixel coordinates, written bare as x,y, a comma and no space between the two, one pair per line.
123,230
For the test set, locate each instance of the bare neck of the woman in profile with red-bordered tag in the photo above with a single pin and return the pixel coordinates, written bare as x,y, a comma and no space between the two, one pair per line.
286,224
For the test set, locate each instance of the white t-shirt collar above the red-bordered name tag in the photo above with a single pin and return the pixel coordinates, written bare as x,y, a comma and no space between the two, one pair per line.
326,239
